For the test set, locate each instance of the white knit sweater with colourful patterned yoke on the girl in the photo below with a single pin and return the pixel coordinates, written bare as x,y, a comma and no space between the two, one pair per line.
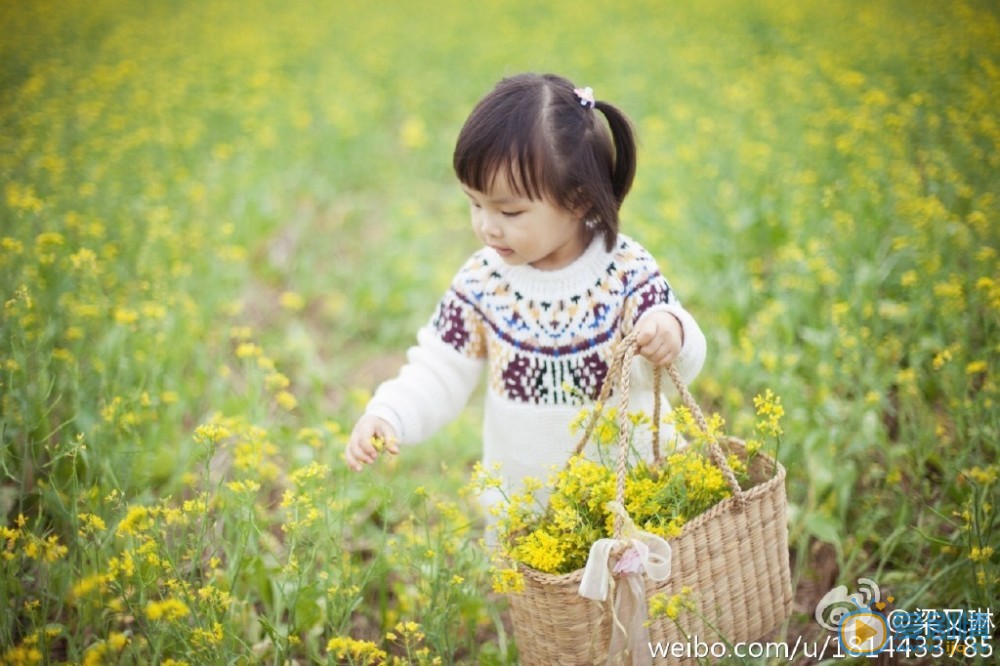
546,339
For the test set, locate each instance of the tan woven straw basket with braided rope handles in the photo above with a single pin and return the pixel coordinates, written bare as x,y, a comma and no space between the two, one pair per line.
734,557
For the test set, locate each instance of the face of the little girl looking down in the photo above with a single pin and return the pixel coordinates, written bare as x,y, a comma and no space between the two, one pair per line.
526,231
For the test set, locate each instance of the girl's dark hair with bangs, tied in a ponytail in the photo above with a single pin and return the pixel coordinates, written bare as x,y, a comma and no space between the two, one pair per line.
533,130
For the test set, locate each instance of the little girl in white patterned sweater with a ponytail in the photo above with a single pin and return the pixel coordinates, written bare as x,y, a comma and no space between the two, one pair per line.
552,292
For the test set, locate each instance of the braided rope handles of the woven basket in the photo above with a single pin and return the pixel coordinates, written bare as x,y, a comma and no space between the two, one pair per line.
619,371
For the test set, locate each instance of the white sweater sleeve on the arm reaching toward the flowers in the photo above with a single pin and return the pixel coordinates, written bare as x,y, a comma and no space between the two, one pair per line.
441,372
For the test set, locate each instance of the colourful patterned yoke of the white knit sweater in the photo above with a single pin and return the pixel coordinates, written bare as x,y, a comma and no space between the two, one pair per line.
549,336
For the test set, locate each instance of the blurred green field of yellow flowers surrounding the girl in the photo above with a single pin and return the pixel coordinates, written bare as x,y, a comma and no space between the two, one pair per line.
222,223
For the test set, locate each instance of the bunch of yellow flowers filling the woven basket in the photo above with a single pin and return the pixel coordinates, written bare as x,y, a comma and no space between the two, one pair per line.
556,537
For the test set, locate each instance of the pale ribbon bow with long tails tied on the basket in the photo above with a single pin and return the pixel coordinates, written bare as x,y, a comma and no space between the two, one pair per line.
642,552
